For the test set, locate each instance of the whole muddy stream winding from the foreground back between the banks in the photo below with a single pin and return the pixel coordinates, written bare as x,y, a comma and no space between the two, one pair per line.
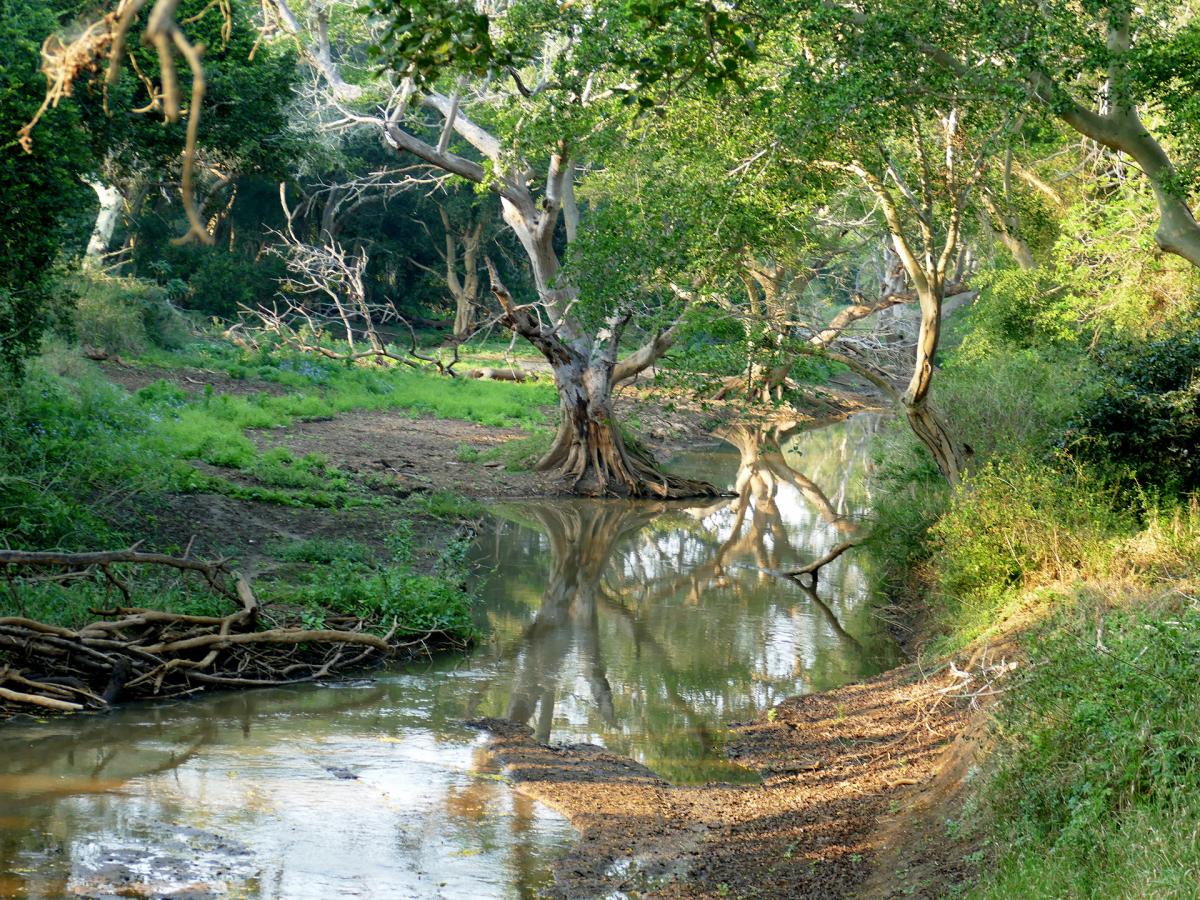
639,627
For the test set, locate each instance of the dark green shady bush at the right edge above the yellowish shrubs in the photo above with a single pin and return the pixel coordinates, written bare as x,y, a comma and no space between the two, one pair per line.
1144,427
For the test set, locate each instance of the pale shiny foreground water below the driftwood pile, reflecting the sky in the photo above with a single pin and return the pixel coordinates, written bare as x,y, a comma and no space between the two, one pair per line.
311,793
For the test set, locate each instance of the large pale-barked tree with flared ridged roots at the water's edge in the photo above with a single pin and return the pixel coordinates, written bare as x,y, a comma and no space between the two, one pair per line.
541,103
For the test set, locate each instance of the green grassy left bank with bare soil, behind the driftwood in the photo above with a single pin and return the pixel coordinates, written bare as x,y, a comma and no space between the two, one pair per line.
87,465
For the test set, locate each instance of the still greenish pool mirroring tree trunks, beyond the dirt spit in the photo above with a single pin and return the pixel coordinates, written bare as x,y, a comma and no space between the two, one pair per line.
656,623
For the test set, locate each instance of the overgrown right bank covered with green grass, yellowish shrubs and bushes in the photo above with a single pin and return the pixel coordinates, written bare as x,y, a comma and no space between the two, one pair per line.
1077,538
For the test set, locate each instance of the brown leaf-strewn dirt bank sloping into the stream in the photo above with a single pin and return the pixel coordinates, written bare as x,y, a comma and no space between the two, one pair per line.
841,772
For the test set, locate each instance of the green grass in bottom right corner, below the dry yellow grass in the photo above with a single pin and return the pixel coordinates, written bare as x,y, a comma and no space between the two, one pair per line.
1099,765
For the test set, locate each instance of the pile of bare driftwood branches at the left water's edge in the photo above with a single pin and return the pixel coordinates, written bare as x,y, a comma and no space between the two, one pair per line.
133,653
